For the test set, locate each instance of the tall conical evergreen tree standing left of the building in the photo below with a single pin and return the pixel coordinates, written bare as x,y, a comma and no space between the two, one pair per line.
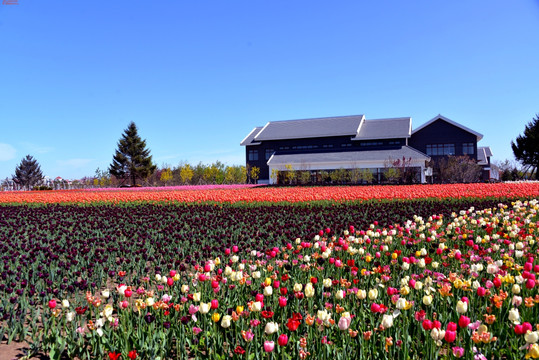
132,160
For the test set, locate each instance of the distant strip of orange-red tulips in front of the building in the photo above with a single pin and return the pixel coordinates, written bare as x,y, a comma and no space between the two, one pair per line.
273,194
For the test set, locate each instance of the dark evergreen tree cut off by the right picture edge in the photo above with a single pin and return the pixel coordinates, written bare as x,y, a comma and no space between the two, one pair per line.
526,147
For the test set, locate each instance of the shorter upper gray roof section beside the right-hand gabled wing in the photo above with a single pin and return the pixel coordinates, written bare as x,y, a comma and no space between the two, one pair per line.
385,129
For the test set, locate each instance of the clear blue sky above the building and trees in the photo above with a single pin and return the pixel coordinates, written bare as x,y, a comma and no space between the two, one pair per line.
197,76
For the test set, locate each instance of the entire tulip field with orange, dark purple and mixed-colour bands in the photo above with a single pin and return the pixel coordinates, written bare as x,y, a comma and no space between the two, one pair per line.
424,272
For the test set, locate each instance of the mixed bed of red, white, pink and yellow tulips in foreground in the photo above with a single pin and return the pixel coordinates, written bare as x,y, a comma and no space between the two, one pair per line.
457,285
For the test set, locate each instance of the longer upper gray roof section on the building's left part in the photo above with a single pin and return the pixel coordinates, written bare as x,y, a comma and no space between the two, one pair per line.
310,128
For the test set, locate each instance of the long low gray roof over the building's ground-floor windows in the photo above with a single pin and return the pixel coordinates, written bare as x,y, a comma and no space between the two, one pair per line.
348,156
